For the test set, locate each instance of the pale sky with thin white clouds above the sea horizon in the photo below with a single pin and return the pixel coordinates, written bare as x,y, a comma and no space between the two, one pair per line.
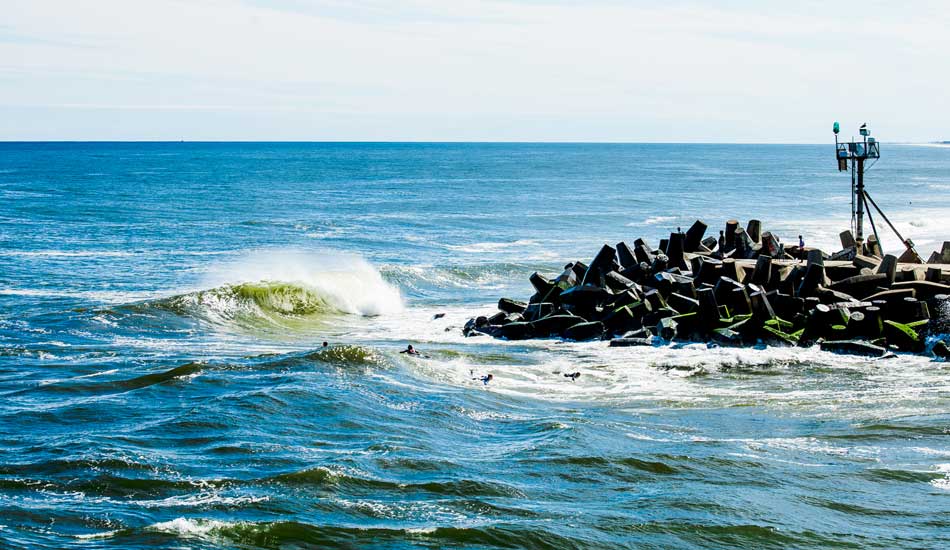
473,70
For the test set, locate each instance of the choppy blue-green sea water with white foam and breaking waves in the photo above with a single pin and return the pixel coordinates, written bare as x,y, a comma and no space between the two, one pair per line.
163,383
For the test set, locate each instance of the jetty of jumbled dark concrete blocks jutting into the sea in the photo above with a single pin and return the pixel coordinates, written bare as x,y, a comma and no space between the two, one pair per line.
742,288
